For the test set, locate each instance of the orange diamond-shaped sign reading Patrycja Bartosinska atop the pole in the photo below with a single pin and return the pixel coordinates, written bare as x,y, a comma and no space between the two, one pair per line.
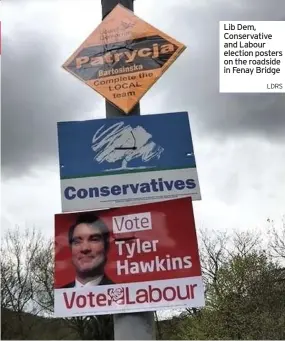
123,57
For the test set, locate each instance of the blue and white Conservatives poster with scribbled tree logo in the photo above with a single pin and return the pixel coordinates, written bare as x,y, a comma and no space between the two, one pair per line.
126,161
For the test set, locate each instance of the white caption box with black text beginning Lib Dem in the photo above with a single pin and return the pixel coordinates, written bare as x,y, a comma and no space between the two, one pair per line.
252,56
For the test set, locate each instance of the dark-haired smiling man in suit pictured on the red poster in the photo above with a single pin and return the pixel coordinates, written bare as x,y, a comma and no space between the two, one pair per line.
89,243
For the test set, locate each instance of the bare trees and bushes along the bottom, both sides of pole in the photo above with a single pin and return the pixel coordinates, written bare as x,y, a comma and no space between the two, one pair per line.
243,274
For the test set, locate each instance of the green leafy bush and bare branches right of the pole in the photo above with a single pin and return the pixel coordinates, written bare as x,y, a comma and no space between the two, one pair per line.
245,292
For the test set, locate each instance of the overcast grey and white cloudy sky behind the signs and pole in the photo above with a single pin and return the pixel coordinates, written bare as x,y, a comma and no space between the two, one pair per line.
239,139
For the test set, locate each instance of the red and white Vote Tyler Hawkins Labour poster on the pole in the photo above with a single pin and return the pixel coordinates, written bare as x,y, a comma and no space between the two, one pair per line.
129,259
